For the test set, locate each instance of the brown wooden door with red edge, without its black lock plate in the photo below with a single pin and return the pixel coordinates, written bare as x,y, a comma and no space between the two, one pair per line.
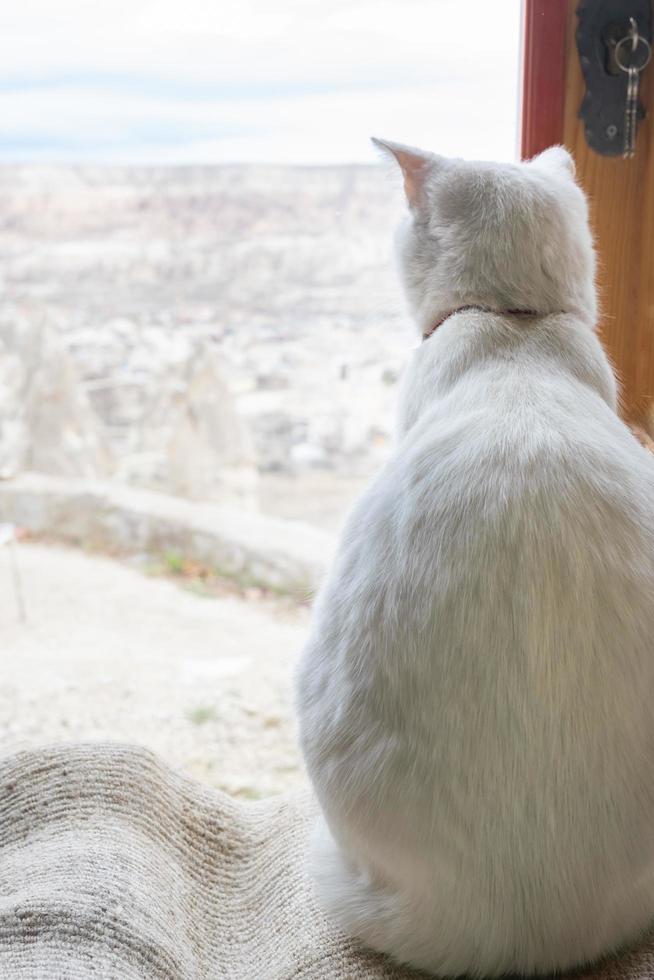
620,194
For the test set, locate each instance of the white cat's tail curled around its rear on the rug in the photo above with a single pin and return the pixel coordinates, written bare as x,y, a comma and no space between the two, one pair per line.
447,933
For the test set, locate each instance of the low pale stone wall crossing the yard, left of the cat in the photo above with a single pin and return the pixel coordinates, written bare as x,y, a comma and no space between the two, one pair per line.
277,554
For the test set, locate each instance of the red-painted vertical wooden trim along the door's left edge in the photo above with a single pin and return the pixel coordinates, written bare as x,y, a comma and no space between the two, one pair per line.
543,74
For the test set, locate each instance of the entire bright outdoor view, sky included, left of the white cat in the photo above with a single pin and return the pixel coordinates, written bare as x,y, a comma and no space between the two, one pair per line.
199,360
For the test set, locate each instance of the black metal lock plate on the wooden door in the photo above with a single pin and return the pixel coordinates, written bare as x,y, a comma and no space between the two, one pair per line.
606,52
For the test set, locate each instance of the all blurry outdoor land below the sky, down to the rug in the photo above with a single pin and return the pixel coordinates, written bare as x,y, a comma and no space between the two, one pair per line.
198,372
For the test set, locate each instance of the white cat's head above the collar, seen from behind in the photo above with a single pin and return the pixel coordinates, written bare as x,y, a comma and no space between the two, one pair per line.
506,236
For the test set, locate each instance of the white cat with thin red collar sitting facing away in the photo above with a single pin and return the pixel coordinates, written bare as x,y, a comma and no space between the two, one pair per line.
476,698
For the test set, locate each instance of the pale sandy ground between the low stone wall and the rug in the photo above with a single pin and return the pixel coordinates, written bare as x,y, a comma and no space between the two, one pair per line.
108,652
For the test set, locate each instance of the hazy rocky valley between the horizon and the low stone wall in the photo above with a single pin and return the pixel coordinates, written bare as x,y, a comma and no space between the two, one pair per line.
228,334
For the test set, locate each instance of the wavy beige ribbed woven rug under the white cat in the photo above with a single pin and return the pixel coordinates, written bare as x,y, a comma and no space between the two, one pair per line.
114,867
